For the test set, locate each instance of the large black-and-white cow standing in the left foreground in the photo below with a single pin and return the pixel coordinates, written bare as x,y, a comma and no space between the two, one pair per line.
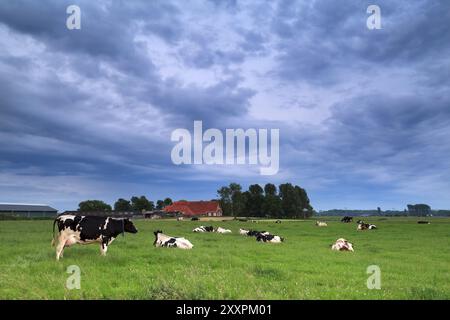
74,229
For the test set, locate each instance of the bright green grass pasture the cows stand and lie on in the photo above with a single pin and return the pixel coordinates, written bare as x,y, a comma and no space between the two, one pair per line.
414,261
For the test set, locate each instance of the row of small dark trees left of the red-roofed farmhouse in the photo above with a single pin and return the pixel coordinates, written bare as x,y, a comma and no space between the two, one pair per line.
136,204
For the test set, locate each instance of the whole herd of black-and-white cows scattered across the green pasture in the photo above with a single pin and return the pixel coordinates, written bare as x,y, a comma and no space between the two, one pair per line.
74,229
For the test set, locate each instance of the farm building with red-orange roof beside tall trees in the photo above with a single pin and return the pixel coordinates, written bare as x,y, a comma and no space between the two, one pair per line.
195,208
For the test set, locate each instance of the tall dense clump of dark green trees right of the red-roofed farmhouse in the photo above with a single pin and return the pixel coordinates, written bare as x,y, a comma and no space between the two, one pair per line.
287,201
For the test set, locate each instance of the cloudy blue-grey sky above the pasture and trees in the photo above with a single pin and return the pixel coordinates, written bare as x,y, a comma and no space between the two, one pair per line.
364,115
